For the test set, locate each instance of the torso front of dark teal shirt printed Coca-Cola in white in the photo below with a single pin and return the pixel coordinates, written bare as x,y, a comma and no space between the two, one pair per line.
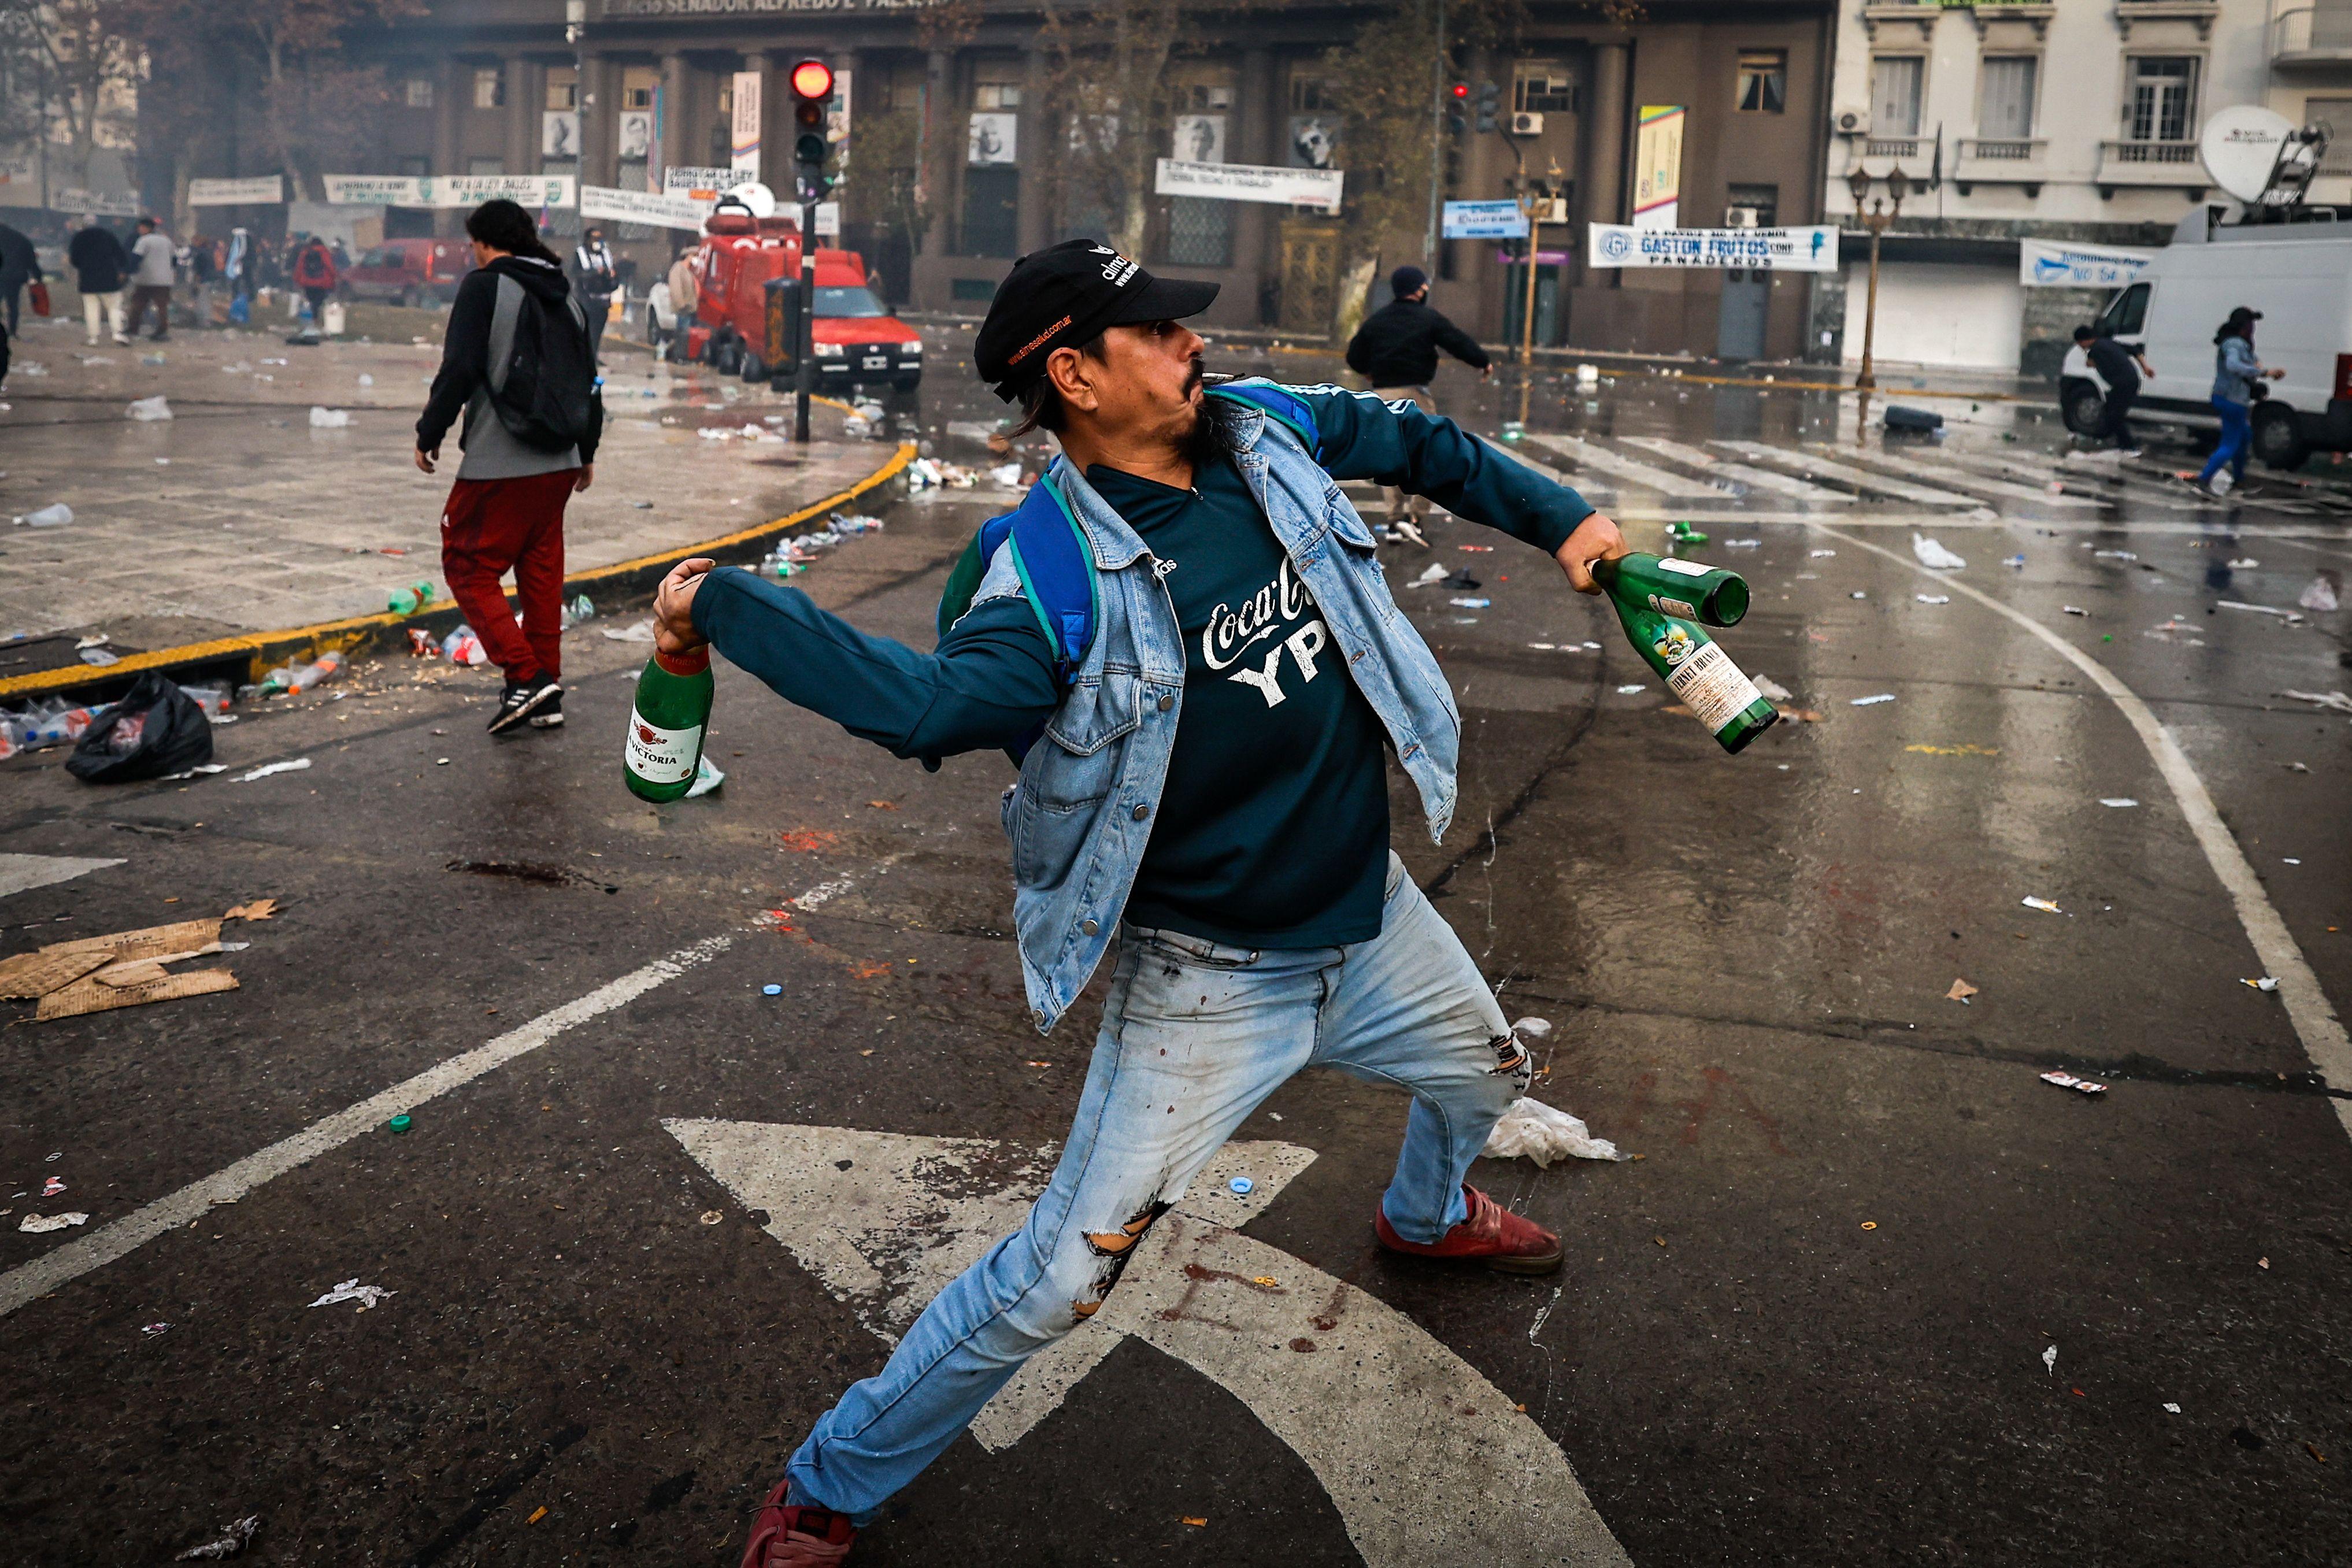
1274,822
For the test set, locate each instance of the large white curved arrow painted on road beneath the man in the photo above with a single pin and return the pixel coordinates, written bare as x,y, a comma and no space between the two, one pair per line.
1422,1456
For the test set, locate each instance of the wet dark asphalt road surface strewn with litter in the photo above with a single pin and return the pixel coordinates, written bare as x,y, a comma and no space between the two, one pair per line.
1808,1325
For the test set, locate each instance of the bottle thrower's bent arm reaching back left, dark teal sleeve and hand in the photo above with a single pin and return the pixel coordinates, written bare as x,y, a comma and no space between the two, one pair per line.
989,683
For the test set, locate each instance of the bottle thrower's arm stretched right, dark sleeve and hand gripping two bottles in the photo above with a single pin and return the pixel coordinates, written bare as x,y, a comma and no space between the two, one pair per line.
1429,455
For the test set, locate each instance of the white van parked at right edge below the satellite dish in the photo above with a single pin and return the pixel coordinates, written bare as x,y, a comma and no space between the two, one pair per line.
2299,276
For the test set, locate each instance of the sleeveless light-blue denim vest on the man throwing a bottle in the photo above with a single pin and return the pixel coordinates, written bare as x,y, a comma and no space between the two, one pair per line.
1088,793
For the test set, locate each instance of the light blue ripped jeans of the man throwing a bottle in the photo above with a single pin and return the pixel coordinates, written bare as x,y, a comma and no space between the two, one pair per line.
1194,1040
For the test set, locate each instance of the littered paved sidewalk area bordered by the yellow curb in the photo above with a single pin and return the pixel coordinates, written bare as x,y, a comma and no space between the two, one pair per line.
239,516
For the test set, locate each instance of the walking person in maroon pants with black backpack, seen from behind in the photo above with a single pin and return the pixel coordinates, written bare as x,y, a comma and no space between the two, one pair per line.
519,366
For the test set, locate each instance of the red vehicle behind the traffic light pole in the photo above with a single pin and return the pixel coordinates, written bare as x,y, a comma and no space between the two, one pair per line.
857,340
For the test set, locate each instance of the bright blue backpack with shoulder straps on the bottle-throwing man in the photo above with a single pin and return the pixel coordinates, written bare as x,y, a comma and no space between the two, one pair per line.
1053,554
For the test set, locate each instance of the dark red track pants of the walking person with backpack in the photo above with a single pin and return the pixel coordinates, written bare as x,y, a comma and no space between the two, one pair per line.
497,525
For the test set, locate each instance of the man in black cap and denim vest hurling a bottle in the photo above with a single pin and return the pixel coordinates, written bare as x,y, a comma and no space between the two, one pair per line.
1203,732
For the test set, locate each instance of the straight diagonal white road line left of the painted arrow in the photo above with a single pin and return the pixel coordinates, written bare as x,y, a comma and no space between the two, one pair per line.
138,1228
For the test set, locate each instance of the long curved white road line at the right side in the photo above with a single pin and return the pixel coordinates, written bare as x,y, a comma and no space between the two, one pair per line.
2273,944
